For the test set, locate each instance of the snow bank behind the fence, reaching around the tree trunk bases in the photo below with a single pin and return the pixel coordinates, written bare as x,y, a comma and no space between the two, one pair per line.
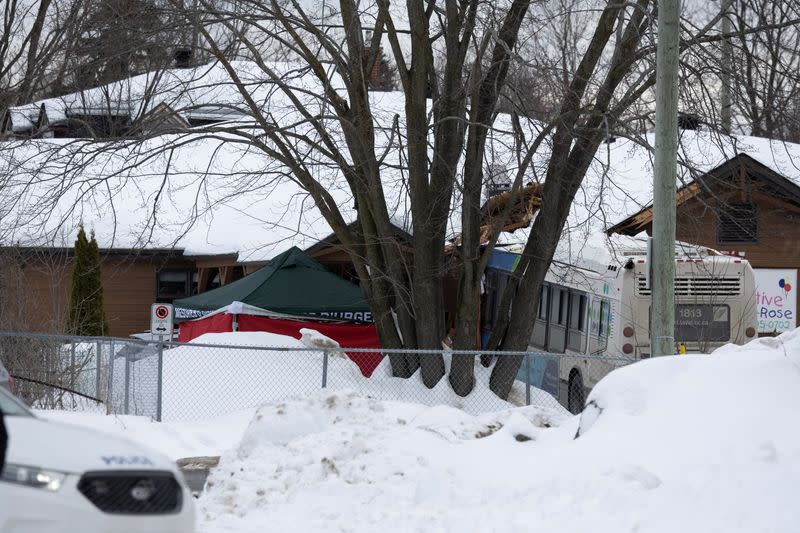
202,380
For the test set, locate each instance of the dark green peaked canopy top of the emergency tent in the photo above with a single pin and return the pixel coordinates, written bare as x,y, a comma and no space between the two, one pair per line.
292,283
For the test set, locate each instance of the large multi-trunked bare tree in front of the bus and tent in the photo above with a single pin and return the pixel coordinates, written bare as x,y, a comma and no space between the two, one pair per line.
305,90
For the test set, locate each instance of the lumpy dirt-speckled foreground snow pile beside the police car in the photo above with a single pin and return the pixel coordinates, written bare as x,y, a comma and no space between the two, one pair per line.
361,464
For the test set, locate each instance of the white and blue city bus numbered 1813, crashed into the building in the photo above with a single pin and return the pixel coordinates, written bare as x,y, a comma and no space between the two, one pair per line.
598,319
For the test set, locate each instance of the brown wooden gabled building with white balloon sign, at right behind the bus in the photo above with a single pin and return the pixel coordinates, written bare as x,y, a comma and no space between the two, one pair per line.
743,208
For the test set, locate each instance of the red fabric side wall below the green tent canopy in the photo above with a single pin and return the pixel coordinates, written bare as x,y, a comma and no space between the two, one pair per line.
347,335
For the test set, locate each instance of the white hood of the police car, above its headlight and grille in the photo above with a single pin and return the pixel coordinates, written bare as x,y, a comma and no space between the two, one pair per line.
74,449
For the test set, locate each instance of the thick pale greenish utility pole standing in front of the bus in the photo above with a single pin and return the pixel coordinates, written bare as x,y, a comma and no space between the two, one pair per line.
662,332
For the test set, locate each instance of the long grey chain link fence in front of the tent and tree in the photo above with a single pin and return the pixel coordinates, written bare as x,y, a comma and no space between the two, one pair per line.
190,381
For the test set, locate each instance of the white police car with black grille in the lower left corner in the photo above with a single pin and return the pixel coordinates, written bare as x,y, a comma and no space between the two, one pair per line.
63,478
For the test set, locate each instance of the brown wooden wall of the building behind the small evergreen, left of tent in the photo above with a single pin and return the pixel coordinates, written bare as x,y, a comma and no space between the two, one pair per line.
35,284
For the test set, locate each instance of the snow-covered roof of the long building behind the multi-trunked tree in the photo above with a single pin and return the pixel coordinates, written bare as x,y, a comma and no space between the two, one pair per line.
212,195
